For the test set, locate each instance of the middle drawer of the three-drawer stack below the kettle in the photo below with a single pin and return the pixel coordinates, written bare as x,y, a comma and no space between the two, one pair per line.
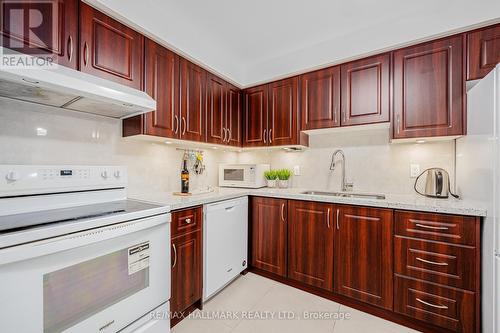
452,265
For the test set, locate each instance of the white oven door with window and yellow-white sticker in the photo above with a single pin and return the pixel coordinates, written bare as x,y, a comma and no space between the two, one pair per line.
100,280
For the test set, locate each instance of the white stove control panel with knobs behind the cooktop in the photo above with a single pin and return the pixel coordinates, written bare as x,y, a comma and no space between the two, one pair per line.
38,179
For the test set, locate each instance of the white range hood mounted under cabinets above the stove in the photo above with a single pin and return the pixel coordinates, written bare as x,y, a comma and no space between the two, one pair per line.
70,89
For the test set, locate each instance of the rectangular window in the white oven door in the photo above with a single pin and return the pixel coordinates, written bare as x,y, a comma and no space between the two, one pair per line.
75,293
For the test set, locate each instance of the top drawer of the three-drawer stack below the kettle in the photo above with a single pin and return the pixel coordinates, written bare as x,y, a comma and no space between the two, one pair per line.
440,227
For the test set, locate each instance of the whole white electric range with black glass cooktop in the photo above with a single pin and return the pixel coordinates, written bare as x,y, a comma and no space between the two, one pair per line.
77,256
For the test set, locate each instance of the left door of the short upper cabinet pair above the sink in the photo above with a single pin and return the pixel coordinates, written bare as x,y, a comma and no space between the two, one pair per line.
320,99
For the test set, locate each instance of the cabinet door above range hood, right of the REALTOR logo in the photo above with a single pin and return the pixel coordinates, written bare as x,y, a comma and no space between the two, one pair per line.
109,49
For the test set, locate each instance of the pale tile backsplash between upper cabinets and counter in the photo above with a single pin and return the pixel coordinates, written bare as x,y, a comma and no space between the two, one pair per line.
372,163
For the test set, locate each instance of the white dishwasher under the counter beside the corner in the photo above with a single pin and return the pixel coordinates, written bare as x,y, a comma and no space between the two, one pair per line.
225,239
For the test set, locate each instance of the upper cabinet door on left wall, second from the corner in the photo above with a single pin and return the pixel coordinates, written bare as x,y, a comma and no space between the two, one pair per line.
216,110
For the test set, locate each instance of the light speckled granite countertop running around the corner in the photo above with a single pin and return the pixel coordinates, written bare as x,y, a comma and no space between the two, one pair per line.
394,201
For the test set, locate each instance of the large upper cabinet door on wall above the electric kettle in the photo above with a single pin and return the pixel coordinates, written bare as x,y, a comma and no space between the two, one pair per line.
429,89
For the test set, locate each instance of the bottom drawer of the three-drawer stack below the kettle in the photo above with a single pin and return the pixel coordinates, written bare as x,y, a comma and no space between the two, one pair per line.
445,307
